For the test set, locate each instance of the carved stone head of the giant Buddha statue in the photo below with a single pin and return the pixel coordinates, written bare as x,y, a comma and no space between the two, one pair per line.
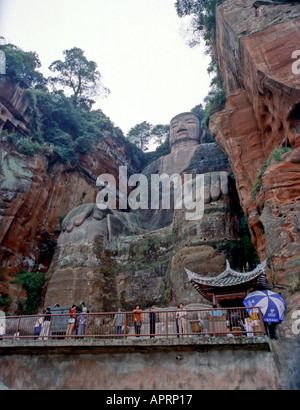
184,130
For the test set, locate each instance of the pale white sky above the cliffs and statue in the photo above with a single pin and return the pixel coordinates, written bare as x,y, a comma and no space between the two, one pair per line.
152,74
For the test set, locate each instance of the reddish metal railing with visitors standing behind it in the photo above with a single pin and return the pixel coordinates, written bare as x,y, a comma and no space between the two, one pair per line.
164,323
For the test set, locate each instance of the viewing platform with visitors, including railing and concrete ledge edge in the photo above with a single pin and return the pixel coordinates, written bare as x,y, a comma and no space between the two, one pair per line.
161,330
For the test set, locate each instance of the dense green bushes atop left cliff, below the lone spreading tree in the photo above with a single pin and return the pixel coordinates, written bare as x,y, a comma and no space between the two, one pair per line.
71,129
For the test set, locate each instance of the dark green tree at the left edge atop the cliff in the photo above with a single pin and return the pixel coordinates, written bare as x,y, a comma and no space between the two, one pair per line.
22,65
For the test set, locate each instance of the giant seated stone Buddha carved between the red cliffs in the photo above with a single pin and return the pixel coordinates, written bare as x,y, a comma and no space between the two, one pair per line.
97,247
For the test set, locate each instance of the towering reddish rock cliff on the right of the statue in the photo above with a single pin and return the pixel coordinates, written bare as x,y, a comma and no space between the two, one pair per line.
254,46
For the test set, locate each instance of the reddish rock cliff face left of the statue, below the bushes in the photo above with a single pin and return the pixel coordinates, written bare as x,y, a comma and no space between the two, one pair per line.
35,192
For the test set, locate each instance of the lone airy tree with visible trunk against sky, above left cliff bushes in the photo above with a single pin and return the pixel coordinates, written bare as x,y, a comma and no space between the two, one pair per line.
79,75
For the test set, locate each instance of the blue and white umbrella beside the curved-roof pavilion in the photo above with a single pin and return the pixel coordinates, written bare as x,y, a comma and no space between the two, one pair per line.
271,304
